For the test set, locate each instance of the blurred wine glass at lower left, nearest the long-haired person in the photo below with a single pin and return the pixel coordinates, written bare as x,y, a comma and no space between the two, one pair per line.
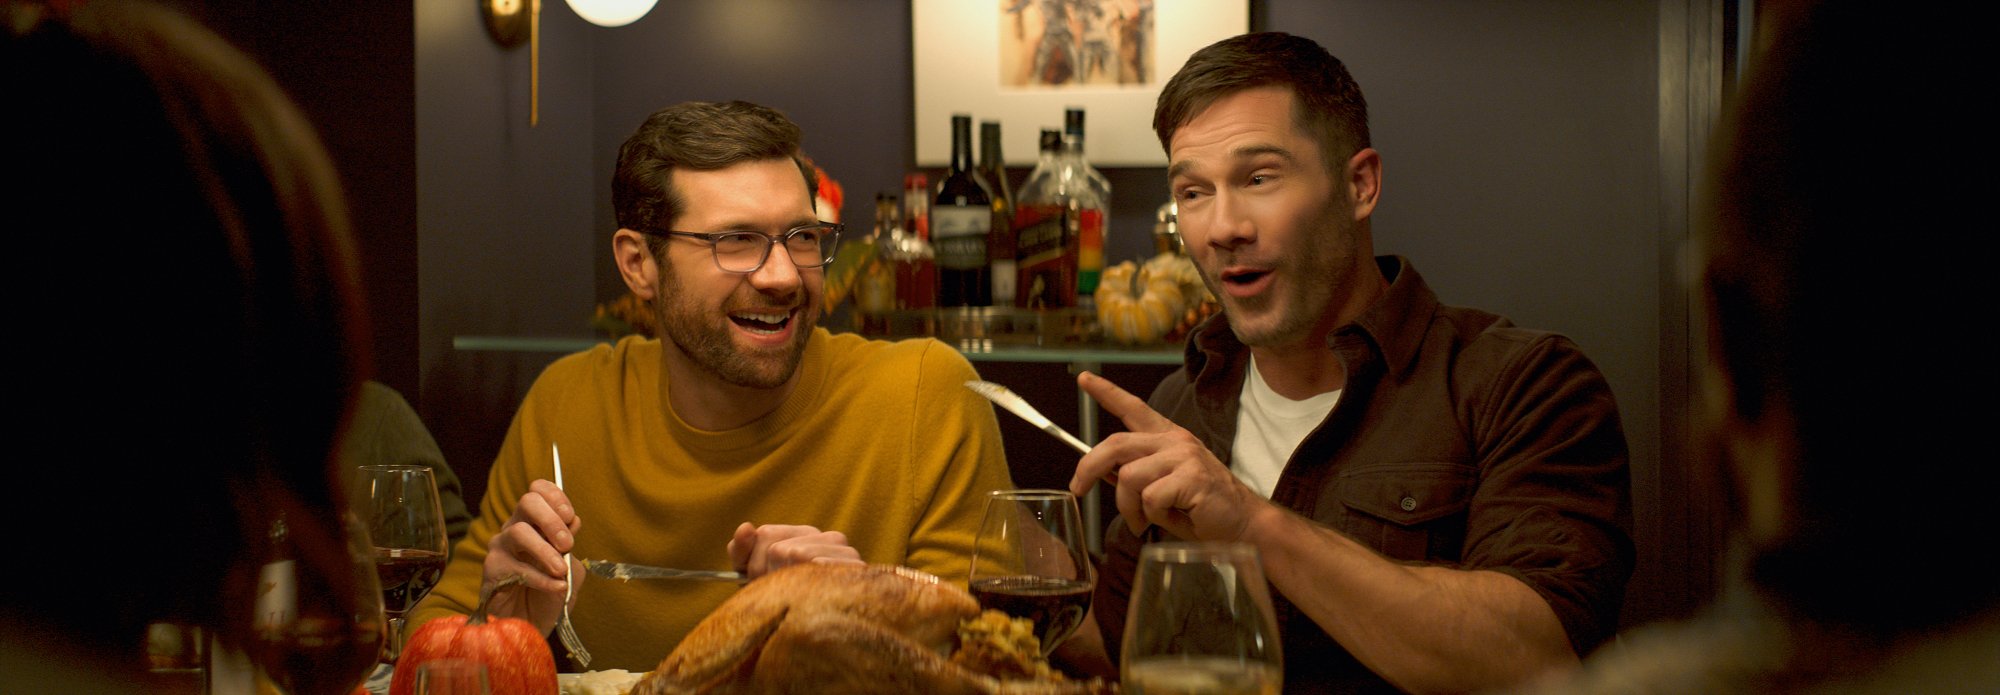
319,624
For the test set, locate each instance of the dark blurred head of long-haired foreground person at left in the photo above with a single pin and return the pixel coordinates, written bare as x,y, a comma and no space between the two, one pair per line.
197,358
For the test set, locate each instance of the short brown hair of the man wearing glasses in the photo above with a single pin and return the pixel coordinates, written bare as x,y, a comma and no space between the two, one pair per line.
699,137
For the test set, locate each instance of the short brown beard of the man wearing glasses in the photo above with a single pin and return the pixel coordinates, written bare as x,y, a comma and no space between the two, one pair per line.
709,339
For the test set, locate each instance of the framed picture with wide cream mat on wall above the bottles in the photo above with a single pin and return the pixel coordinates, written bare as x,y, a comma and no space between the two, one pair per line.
1023,63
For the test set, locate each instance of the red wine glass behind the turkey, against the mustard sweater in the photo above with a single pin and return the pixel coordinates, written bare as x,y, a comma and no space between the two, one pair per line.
1031,562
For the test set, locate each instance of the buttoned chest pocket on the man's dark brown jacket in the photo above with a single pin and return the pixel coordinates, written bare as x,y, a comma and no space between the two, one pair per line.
1411,512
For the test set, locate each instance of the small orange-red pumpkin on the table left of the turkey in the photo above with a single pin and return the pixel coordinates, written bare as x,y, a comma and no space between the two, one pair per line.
515,654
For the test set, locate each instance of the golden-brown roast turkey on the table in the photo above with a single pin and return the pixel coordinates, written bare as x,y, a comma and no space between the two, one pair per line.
849,630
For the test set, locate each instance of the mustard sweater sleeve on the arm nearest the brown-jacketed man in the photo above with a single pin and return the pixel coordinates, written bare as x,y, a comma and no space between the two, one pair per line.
961,442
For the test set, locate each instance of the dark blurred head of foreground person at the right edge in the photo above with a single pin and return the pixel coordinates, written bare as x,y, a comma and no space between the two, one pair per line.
1853,396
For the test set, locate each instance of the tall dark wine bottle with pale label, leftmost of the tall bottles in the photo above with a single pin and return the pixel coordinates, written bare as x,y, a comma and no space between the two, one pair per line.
961,225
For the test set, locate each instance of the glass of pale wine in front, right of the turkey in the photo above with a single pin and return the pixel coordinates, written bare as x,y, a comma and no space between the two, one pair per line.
1201,622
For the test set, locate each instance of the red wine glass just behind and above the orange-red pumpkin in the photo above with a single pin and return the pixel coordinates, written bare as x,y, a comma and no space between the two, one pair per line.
407,524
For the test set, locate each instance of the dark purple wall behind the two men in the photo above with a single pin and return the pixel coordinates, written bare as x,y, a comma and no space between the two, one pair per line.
1521,141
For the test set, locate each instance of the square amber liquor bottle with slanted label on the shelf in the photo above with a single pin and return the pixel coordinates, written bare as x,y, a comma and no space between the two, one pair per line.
1053,215
